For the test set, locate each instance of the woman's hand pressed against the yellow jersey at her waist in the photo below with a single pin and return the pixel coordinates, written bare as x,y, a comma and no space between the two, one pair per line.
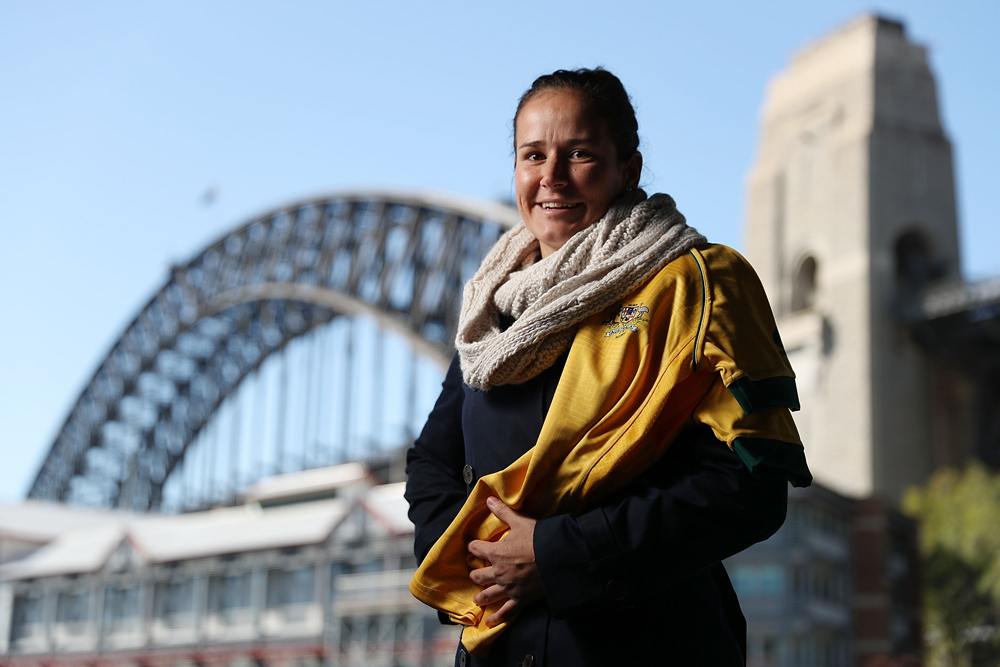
512,574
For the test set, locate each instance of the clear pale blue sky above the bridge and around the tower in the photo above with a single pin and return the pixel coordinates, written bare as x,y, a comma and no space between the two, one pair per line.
117,117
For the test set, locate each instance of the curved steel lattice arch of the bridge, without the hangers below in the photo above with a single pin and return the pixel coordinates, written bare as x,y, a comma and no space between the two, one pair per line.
397,257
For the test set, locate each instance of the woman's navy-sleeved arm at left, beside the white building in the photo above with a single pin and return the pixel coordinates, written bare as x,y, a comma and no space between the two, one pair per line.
434,486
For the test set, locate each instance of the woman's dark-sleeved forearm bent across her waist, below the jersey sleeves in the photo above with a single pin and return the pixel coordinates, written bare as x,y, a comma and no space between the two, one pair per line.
698,505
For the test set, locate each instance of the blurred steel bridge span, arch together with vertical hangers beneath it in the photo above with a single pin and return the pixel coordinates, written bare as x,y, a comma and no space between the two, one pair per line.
314,334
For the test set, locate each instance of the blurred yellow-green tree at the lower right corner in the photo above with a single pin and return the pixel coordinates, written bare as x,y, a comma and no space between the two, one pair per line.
959,514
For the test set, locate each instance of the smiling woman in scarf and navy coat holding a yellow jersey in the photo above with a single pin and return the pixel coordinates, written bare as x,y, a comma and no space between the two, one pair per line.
617,413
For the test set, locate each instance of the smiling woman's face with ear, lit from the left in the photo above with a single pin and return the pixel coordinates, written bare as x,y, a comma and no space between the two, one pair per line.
566,169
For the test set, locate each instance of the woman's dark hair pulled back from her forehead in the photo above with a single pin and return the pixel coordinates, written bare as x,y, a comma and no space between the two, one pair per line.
607,95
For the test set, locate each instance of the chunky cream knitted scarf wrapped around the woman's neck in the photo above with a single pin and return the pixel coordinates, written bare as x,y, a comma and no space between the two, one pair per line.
548,297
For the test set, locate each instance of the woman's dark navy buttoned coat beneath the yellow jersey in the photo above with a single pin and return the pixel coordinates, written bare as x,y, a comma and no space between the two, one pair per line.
636,579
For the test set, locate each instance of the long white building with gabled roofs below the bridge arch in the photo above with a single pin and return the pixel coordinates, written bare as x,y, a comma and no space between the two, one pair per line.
277,581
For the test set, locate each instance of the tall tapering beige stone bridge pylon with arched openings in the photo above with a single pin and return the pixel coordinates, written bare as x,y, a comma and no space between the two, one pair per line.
851,208
